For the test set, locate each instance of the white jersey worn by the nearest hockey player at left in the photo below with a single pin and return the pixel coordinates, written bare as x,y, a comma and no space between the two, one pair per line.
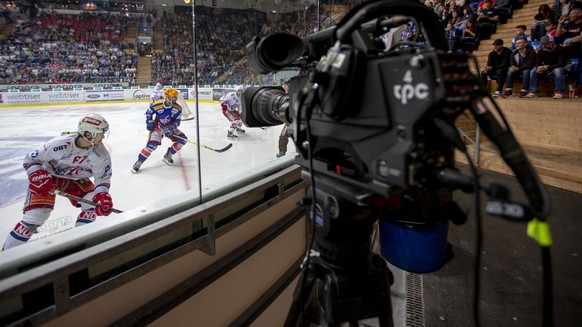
62,158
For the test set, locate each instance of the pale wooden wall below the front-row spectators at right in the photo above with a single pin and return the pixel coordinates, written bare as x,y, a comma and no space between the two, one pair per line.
549,132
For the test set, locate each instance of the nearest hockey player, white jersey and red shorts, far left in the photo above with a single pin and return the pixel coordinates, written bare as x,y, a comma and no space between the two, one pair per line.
66,163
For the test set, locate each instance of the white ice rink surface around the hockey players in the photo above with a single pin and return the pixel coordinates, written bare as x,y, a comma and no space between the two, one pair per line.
26,128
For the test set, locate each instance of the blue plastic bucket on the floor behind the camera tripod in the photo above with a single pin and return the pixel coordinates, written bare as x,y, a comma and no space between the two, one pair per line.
418,248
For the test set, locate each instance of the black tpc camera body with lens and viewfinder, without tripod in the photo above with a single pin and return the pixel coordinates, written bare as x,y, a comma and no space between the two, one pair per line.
359,114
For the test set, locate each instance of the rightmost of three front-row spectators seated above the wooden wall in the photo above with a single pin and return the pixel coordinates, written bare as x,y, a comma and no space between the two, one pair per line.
551,62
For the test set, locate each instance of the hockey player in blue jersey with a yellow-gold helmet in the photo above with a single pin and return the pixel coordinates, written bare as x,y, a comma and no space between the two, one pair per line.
165,123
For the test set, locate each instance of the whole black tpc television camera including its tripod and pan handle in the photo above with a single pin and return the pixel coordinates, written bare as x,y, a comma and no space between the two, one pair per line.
371,124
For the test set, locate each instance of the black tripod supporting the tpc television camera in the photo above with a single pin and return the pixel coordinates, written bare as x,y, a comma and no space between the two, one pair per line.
343,282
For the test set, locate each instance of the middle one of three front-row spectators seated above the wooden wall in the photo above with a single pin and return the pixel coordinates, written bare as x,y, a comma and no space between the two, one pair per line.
521,62
